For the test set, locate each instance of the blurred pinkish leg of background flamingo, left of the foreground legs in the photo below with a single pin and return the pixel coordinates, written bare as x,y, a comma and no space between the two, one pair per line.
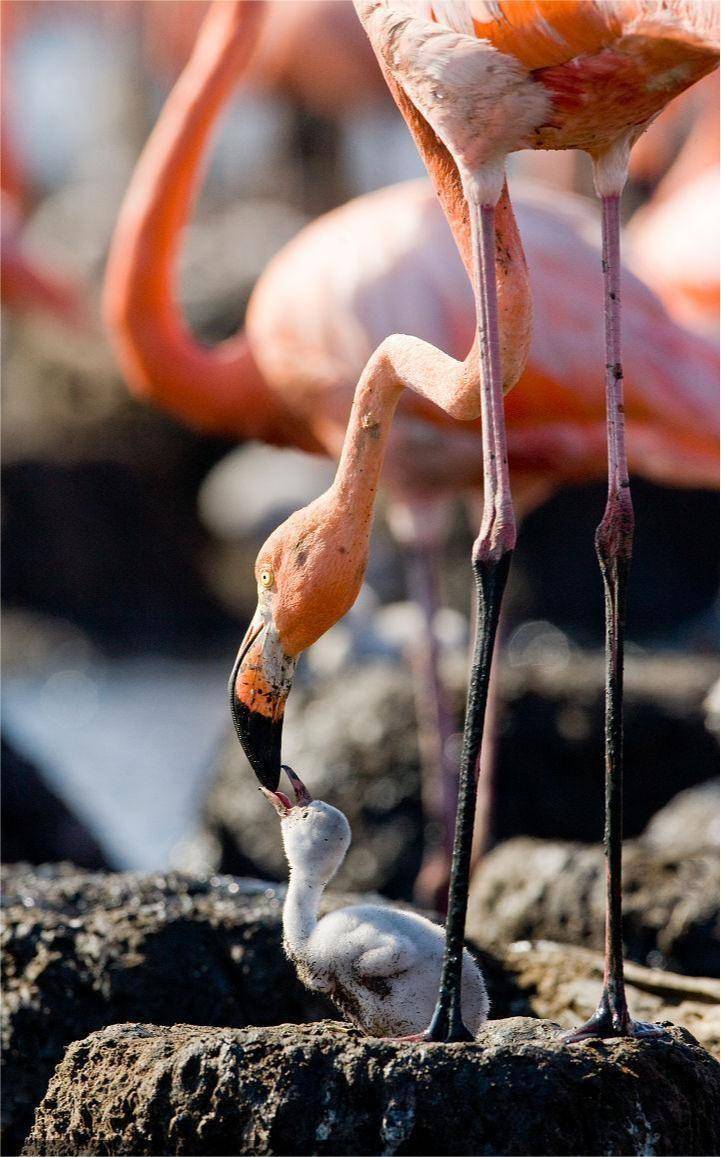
437,727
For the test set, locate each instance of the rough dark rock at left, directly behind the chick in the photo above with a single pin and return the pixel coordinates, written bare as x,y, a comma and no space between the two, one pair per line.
86,952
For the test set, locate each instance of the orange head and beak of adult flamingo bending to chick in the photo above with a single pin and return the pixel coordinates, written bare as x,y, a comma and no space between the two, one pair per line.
308,574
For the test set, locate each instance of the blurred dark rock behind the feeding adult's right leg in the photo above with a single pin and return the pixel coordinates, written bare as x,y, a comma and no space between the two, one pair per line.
550,767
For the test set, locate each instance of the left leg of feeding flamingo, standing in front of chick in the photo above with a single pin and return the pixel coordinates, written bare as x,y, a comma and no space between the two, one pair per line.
491,562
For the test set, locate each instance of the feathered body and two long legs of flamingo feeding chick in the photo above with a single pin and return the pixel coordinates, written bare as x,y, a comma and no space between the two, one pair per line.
476,82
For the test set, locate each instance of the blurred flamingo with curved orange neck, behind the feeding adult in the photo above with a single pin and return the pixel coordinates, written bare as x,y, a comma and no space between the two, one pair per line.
289,379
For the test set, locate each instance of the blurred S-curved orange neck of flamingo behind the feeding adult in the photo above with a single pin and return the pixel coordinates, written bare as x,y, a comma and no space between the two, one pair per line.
219,389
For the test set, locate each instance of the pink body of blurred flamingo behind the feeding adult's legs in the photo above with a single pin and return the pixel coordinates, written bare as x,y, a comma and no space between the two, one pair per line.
347,311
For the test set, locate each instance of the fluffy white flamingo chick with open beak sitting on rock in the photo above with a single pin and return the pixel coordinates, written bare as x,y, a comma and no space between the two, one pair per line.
380,967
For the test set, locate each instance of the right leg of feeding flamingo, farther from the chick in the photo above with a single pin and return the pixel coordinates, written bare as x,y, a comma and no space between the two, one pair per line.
614,548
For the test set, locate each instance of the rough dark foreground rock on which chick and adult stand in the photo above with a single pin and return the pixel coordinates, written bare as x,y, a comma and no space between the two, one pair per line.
323,1089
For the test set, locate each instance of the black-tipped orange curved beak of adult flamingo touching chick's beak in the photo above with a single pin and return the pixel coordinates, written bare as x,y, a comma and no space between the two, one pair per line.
259,688
